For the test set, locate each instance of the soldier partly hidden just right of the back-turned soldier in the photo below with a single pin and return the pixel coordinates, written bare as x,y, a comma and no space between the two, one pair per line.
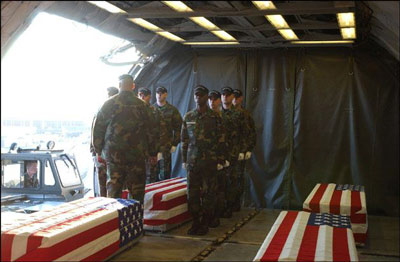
151,162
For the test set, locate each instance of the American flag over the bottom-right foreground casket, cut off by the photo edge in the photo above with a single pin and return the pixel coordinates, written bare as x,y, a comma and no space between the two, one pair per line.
304,236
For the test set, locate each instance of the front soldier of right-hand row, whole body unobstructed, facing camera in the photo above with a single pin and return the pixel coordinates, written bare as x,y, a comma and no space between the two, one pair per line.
202,144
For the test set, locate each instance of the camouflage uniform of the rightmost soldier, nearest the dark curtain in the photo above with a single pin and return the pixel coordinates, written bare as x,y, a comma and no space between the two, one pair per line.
250,142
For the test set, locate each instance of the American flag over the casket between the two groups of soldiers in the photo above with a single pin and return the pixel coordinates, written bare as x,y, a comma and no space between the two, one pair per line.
165,202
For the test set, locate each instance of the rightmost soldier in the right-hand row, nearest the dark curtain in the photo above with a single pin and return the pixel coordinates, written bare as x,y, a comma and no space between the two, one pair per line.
250,142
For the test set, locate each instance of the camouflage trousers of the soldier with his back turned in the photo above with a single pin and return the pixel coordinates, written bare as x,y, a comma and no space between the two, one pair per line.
131,177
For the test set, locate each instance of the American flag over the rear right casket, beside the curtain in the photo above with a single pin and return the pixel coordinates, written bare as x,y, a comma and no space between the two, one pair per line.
341,199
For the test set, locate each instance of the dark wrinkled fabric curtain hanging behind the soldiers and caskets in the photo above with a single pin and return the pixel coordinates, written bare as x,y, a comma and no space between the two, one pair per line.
323,115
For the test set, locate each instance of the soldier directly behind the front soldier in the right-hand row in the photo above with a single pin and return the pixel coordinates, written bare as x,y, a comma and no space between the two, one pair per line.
214,102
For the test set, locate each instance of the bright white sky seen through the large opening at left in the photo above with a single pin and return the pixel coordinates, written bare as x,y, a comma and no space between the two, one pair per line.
54,71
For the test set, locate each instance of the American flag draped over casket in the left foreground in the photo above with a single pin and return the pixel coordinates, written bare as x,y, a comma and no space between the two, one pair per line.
87,229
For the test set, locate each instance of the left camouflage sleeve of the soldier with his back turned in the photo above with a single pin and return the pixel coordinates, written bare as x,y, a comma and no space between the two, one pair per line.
99,128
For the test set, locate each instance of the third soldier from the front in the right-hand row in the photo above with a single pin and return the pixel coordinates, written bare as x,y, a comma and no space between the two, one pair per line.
234,123
